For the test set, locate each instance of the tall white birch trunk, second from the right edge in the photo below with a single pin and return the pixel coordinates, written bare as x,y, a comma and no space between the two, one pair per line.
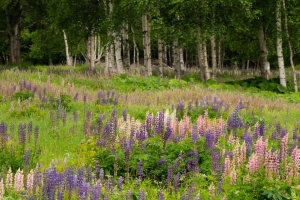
279,45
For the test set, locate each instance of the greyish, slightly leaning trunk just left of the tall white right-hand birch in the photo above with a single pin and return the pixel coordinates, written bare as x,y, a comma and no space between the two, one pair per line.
263,60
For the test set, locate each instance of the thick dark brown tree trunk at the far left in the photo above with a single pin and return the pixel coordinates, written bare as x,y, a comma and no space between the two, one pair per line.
14,20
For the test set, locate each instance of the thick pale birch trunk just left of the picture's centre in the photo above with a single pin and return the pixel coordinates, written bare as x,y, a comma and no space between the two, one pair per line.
147,44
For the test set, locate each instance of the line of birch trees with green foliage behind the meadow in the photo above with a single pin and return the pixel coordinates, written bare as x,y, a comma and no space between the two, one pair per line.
209,34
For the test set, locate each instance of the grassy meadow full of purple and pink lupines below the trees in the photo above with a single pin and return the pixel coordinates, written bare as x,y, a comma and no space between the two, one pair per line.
126,137
